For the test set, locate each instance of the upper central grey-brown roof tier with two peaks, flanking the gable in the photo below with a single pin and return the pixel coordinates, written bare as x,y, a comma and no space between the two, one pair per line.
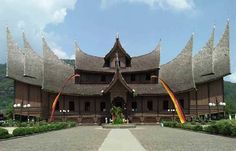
87,62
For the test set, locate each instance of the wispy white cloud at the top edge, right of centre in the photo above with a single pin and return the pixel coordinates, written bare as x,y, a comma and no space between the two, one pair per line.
179,5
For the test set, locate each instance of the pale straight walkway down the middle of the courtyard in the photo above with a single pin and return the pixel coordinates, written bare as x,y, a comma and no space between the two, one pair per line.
121,140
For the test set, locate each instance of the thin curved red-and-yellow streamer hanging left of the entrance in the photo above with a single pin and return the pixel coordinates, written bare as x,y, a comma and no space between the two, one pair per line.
58,95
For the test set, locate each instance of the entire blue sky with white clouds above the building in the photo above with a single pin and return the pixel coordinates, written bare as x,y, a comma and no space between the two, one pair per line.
140,24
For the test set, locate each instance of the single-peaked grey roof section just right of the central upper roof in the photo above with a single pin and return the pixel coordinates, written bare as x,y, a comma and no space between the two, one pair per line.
178,72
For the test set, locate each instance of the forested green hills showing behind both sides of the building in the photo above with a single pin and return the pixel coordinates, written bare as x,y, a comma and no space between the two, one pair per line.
7,91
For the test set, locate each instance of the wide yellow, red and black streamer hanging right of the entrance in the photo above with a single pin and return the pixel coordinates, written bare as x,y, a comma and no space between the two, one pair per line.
178,108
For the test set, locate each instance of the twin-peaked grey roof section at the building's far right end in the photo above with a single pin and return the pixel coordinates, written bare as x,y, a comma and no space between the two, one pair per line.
207,69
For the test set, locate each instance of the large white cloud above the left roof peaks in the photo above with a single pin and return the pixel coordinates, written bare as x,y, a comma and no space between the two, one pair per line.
32,16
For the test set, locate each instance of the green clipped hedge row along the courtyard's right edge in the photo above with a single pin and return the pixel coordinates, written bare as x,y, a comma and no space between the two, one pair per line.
223,127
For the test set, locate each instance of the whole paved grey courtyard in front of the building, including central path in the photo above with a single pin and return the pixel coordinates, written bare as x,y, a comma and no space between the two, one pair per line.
93,138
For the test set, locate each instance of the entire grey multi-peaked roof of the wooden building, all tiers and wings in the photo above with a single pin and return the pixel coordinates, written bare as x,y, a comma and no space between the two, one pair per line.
50,72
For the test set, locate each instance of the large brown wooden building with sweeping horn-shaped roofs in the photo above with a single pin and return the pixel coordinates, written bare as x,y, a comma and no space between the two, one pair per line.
119,79
